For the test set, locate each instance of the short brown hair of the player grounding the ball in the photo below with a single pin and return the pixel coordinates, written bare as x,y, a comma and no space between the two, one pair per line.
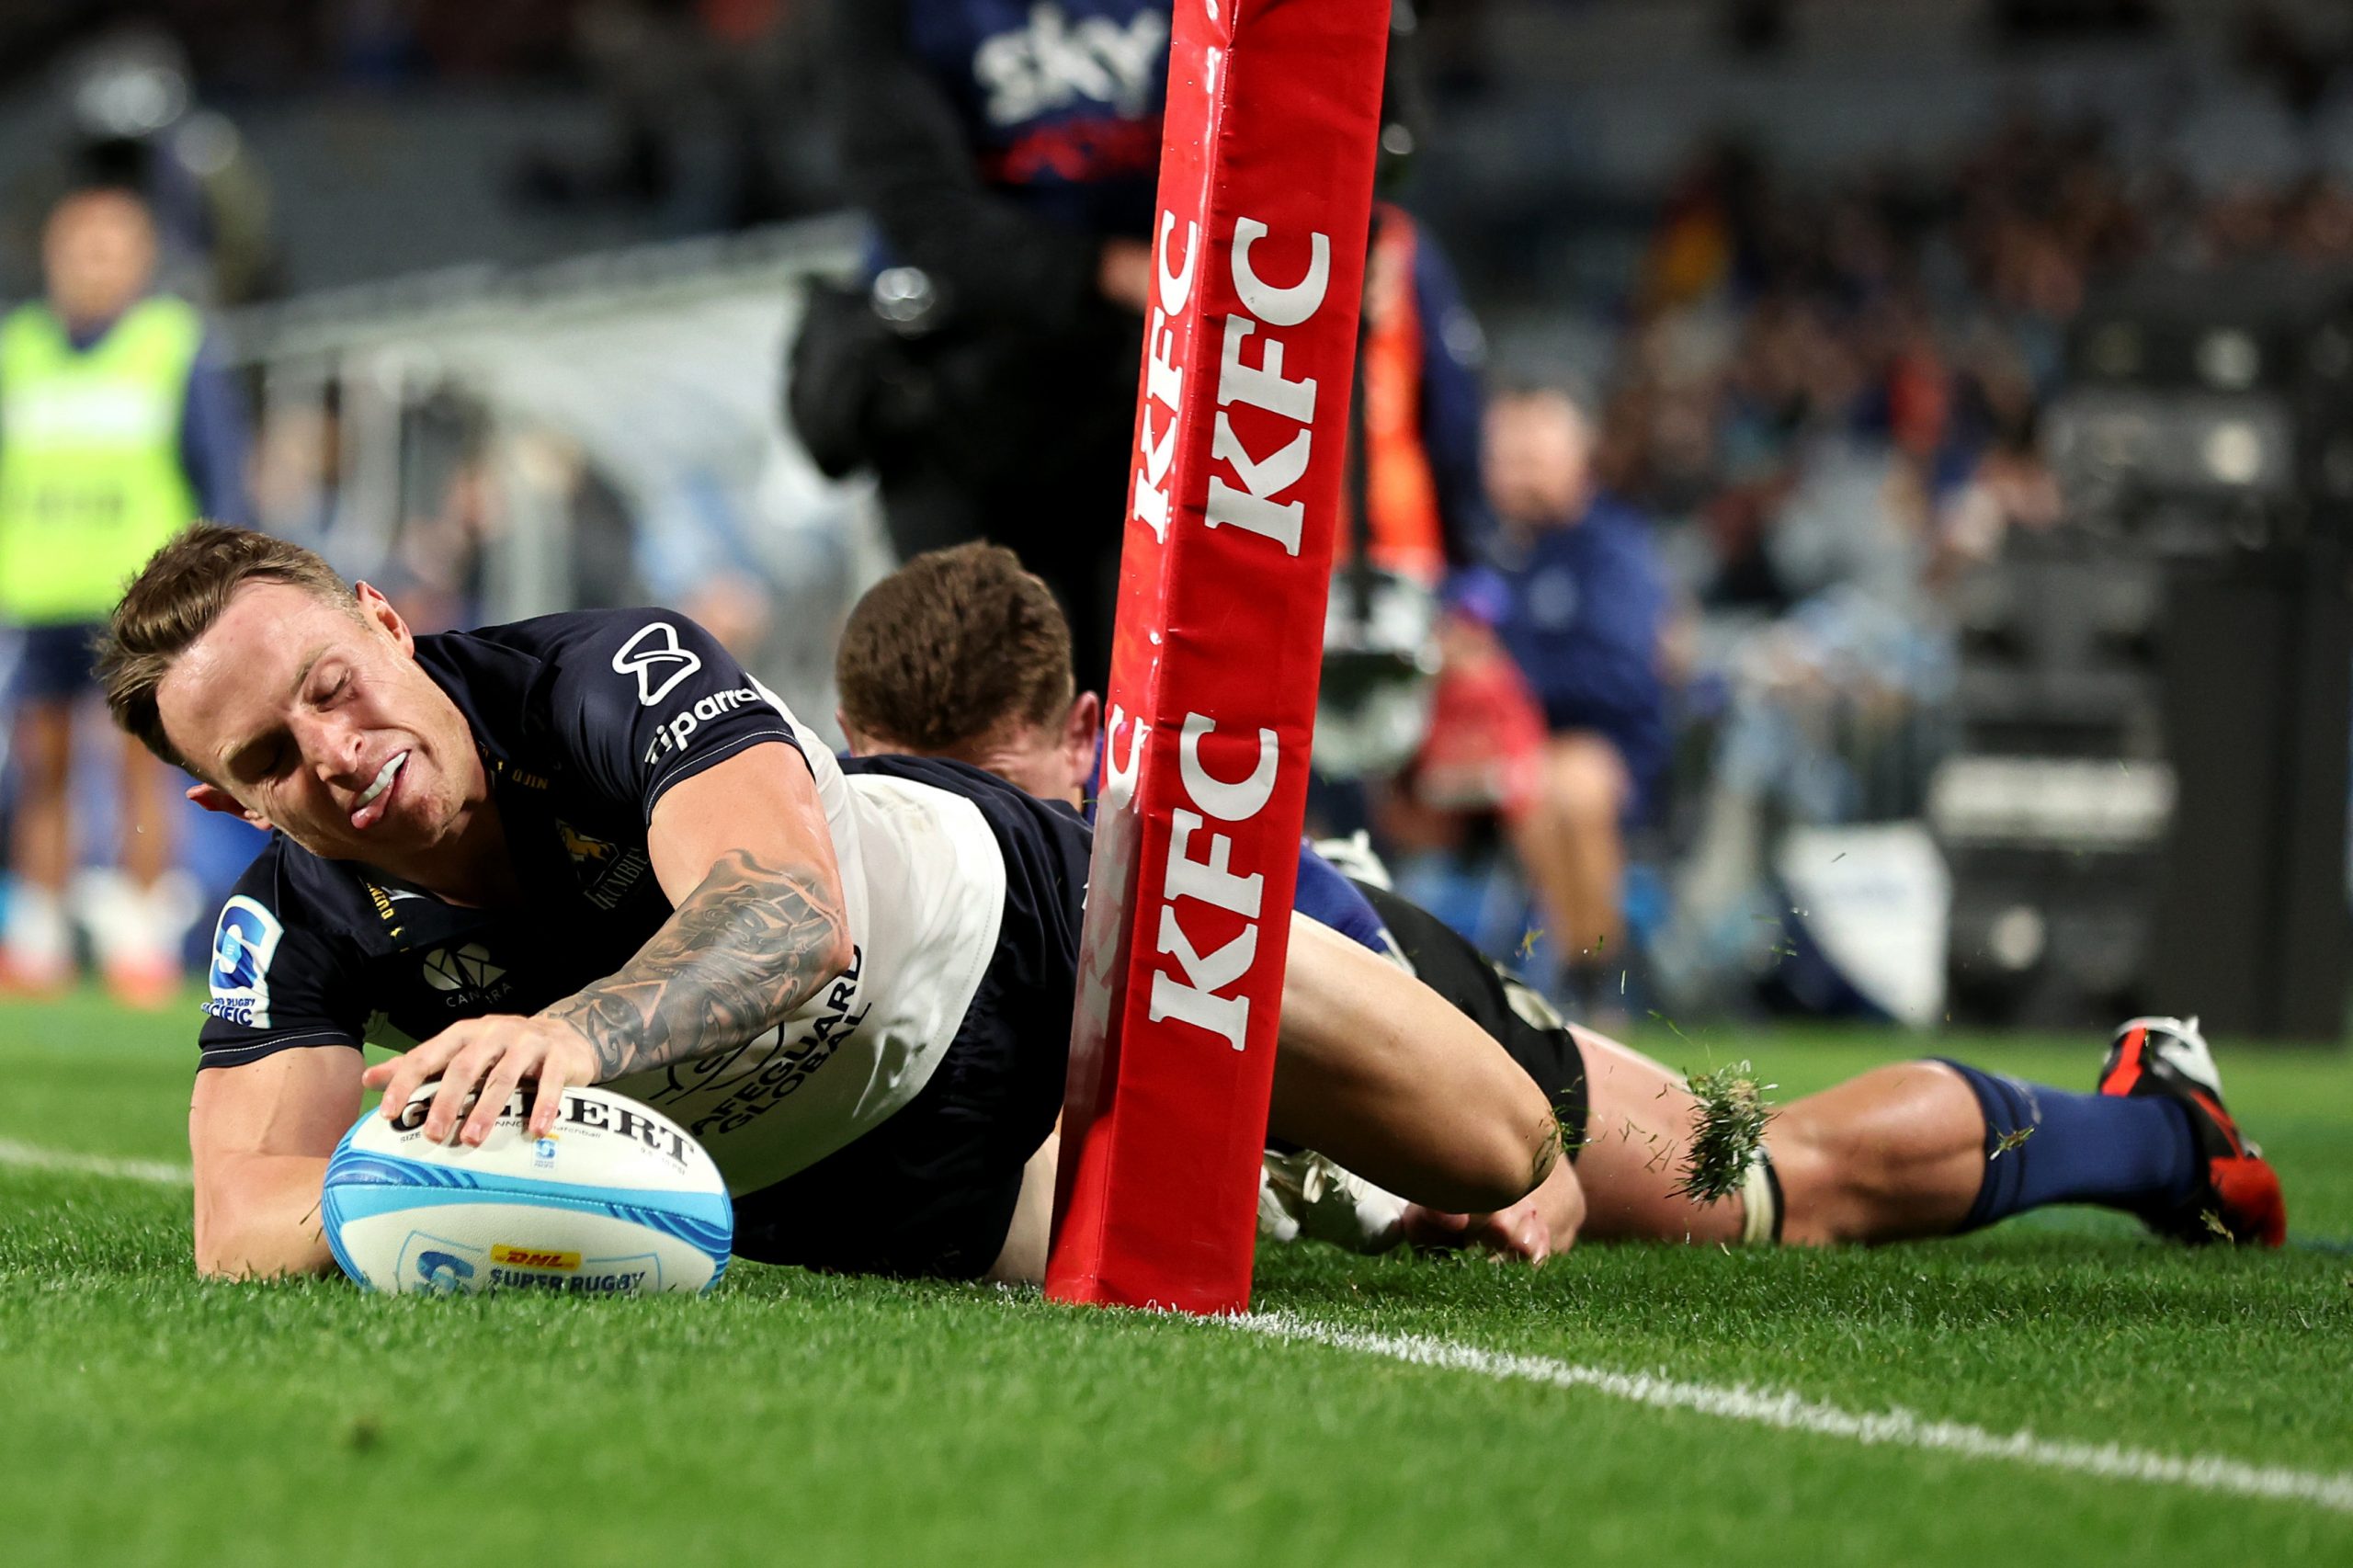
175,599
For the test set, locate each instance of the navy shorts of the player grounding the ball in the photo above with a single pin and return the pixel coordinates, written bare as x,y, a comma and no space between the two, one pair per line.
933,1190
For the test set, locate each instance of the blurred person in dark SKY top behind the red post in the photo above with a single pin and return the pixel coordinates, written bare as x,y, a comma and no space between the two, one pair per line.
1008,154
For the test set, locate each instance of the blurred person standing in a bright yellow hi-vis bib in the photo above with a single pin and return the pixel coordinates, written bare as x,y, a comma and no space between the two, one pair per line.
116,432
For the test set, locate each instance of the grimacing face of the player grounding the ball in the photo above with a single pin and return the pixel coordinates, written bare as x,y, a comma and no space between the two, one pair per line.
321,724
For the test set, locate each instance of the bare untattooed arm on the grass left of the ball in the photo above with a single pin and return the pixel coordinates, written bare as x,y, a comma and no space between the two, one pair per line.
262,1136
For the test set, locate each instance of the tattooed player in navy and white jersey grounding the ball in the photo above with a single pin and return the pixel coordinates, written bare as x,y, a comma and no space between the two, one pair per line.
592,849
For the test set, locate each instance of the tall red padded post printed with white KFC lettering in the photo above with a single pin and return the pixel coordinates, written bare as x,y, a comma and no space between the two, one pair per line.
1244,411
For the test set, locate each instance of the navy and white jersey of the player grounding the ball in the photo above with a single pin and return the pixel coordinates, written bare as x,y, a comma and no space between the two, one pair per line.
585,722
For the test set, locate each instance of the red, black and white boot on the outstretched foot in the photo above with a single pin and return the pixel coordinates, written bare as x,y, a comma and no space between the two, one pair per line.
2237,1195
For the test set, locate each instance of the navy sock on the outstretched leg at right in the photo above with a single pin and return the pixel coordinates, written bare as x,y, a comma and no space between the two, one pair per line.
2051,1145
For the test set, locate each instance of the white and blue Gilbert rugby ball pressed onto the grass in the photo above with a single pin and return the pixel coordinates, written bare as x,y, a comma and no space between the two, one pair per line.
615,1202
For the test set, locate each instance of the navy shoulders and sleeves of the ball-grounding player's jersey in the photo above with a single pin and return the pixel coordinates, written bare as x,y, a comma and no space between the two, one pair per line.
314,952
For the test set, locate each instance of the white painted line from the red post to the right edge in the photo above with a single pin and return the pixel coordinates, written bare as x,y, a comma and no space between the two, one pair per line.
1794,1414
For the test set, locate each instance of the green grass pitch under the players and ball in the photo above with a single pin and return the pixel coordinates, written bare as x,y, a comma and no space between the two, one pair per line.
796,1418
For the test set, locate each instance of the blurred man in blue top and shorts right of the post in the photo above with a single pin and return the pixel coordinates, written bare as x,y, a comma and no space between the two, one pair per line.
1585,616
